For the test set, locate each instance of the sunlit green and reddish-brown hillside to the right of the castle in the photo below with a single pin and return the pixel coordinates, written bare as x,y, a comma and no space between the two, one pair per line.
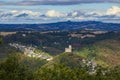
105,52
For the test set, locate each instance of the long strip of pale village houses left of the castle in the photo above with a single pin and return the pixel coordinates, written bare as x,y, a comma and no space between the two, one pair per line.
30,51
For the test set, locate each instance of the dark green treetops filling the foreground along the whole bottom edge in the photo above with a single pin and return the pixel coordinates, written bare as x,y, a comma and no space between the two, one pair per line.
11,68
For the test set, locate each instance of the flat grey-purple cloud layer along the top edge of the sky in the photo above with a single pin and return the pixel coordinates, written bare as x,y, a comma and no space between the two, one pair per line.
55,2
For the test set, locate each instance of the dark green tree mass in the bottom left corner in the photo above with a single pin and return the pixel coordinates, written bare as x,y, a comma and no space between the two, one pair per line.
12,69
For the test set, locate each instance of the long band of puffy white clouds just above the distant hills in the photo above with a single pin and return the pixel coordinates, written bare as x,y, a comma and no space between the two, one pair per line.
52,15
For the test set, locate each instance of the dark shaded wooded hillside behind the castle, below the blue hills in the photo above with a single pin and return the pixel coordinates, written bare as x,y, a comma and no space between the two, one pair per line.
54,42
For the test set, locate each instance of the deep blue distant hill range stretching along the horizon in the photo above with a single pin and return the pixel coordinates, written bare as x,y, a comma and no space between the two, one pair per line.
68,25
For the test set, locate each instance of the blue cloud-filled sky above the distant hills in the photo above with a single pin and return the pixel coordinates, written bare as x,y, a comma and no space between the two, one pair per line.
48,11
